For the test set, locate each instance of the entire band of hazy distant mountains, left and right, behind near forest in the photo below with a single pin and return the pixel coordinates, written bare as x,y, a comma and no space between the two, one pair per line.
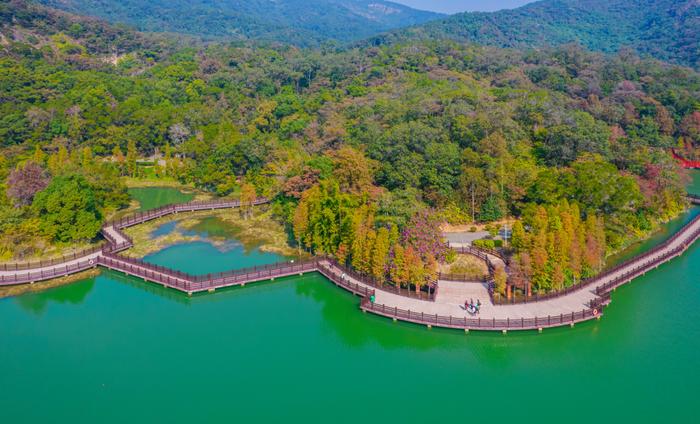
664,29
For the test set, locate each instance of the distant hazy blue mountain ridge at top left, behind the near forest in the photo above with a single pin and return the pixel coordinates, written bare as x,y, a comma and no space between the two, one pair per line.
300,22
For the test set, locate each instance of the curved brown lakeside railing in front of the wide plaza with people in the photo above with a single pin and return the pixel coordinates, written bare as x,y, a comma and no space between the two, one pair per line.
478,323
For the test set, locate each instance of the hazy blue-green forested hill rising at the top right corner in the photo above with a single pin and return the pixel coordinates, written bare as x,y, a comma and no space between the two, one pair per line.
664,29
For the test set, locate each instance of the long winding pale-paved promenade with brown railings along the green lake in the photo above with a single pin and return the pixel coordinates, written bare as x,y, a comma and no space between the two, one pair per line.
444,309
